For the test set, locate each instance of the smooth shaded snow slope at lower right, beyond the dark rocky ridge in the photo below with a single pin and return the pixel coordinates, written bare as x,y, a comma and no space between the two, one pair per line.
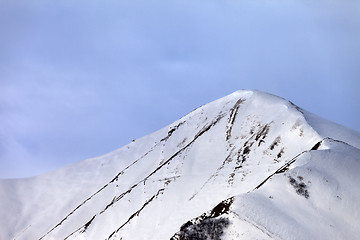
317,199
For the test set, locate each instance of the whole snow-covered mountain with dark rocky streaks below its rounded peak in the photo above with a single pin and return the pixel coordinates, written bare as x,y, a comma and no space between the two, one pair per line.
248,166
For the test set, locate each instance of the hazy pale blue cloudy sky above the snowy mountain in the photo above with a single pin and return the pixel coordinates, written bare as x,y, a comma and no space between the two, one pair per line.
82,78
